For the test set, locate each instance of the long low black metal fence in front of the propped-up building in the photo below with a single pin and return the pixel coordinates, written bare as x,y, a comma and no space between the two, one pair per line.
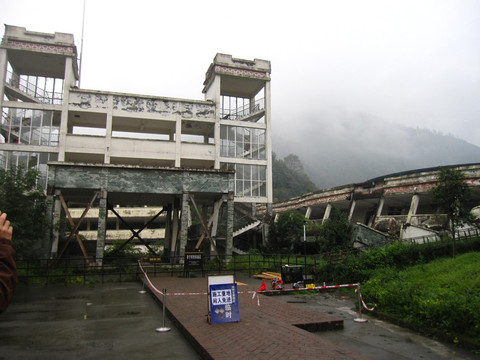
78,271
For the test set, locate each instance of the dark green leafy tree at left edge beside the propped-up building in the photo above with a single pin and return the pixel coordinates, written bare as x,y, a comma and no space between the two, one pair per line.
24,202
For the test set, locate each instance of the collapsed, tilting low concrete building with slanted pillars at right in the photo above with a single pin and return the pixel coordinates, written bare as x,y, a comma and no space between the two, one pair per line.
396,206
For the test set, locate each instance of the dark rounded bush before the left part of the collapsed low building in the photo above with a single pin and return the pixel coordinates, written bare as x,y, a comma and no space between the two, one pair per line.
336,233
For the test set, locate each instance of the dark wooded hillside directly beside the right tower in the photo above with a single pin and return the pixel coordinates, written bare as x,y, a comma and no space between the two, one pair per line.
289,178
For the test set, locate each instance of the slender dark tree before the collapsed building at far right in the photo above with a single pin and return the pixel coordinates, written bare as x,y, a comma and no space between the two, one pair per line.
451,193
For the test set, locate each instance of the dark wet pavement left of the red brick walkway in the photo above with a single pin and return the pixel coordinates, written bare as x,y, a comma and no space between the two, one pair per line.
110,321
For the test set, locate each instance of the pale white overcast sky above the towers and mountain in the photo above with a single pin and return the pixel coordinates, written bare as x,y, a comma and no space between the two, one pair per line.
411,62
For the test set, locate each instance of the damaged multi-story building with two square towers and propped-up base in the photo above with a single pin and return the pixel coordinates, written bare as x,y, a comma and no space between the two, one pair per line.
119,154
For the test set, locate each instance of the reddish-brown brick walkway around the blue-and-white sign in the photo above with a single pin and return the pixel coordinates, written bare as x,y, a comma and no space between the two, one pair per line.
267,331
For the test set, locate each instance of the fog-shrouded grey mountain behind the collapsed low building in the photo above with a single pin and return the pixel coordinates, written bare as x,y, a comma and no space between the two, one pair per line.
338,148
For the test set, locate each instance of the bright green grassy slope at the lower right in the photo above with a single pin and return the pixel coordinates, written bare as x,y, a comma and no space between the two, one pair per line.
443,294
